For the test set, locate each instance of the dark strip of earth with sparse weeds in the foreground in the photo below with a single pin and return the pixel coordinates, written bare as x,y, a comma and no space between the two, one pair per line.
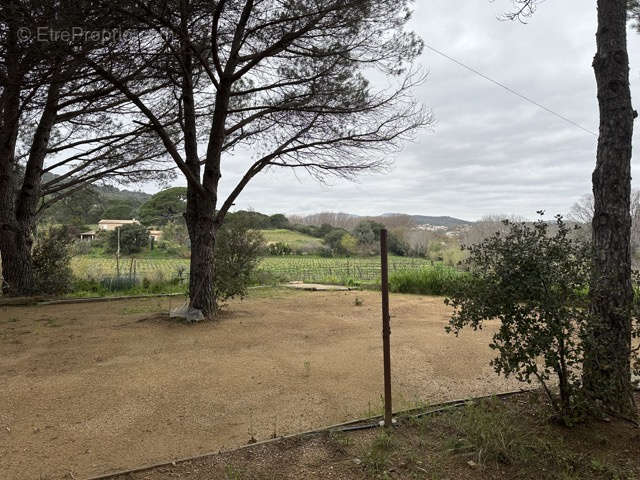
435,448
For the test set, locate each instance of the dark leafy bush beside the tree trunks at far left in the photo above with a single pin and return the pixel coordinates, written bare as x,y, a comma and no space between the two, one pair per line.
52,262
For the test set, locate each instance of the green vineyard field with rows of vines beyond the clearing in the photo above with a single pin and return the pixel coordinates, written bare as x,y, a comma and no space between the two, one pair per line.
279,269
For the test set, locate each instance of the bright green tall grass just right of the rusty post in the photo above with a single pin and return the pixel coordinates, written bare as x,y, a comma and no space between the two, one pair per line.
427,280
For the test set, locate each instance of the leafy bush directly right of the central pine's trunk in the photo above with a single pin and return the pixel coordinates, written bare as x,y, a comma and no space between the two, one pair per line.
237,253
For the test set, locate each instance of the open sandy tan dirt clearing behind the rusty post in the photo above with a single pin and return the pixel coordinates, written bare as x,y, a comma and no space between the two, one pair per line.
93,388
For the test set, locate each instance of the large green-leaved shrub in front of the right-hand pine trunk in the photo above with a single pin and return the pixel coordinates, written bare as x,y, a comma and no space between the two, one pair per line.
535,282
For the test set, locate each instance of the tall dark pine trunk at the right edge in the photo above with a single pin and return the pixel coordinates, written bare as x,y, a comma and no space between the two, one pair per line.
607,375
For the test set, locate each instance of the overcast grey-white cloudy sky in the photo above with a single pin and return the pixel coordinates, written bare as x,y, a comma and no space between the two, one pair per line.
489,151
